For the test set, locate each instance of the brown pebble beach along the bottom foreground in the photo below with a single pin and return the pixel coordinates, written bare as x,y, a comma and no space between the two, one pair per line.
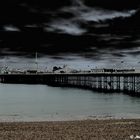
71,130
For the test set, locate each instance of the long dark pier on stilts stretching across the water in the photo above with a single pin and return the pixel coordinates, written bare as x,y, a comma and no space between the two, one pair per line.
105,80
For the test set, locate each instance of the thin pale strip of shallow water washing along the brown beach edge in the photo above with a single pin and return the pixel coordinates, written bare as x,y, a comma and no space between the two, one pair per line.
16,118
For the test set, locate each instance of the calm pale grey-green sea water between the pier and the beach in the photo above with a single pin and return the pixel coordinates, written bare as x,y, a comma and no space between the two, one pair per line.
40,102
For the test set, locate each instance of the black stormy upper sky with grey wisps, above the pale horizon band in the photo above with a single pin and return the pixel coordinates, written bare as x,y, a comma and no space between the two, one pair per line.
69,27
